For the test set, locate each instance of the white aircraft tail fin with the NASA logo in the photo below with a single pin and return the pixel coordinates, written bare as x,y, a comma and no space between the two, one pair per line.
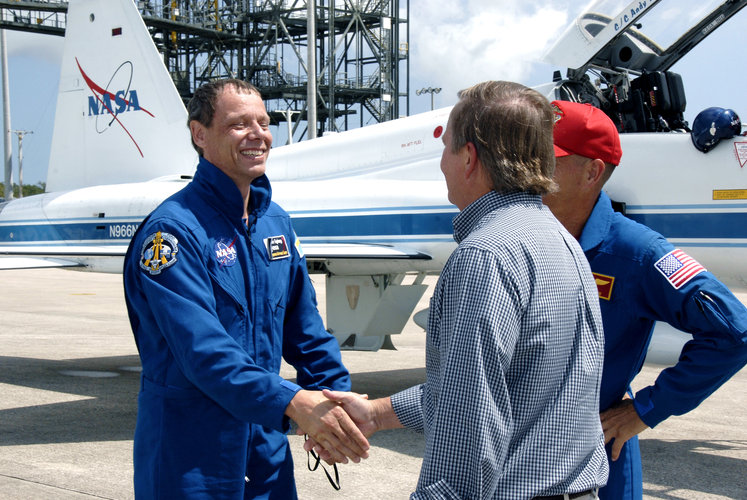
119,117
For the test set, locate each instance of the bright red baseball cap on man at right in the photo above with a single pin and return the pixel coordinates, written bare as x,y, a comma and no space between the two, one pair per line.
586,131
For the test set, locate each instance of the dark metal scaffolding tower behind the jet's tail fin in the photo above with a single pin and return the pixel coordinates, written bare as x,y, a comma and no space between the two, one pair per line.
360,52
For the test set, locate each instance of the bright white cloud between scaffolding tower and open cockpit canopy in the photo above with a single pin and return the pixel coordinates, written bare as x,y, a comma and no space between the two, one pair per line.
456,44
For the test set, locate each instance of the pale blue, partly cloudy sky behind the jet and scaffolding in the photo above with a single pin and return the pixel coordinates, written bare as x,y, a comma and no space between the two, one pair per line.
452,45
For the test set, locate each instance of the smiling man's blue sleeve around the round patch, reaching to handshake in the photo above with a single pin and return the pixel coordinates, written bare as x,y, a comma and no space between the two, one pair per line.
175,317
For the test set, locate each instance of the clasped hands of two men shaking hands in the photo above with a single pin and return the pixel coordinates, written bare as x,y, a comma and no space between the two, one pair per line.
338,423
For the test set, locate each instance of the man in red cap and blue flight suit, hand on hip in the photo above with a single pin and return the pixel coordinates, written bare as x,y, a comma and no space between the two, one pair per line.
641,278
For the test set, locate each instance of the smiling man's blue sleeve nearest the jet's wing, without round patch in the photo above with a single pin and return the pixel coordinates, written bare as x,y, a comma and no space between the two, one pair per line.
307,346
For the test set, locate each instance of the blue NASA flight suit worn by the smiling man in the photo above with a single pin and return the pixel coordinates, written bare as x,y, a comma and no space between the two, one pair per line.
214,307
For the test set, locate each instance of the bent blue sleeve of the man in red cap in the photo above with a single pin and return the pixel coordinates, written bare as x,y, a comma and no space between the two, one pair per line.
705,308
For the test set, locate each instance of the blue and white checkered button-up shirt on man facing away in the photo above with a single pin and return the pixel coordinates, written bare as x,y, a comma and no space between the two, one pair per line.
513,361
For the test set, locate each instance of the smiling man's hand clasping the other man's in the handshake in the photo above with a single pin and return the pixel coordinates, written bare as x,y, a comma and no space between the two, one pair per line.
327,423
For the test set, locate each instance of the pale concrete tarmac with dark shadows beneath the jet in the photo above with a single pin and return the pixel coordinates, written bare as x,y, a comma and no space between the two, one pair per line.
69,377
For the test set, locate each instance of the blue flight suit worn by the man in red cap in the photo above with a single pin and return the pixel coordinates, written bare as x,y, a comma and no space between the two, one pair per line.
633,295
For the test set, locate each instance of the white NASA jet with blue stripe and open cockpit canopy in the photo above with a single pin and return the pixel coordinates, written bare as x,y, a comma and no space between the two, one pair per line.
370,204
